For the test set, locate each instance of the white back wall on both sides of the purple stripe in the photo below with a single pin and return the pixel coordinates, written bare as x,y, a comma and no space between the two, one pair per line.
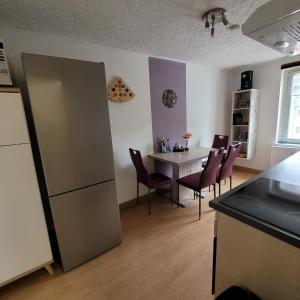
131,123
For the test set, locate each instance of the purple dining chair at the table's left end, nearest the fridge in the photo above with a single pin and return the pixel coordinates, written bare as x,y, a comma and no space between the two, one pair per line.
152,181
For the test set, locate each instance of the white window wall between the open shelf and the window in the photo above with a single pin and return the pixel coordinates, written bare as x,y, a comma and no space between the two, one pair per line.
267,79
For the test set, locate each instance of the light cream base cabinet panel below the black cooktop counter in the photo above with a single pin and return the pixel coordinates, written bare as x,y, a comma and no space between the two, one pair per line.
250,258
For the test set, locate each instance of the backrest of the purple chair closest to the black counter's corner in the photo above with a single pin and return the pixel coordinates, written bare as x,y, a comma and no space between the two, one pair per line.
209,173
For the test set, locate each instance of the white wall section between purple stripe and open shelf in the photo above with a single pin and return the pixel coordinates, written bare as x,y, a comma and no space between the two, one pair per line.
208,103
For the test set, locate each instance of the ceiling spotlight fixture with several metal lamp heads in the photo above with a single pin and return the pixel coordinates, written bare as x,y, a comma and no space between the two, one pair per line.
215,16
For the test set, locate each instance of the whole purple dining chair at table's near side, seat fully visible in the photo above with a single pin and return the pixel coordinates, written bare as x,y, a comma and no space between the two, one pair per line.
206,177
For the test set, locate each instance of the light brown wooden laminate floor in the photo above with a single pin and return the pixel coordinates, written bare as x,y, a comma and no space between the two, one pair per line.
165,256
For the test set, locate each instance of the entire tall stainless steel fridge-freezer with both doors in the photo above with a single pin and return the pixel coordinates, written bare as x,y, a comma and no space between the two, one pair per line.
69,108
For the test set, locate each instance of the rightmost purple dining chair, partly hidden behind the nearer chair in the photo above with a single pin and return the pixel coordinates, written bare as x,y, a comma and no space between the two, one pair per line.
225,170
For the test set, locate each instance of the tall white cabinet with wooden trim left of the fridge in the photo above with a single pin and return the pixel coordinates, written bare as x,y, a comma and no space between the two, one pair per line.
25,244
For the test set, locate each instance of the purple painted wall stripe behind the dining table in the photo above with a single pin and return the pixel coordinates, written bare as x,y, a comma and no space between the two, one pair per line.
167,122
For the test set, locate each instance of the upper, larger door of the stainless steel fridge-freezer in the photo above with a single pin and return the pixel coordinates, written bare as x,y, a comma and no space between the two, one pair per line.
70,112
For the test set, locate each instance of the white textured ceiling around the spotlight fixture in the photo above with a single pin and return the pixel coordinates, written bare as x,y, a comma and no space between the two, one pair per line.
166,28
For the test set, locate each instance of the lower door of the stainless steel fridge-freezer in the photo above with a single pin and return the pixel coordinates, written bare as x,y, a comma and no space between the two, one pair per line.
87,223
